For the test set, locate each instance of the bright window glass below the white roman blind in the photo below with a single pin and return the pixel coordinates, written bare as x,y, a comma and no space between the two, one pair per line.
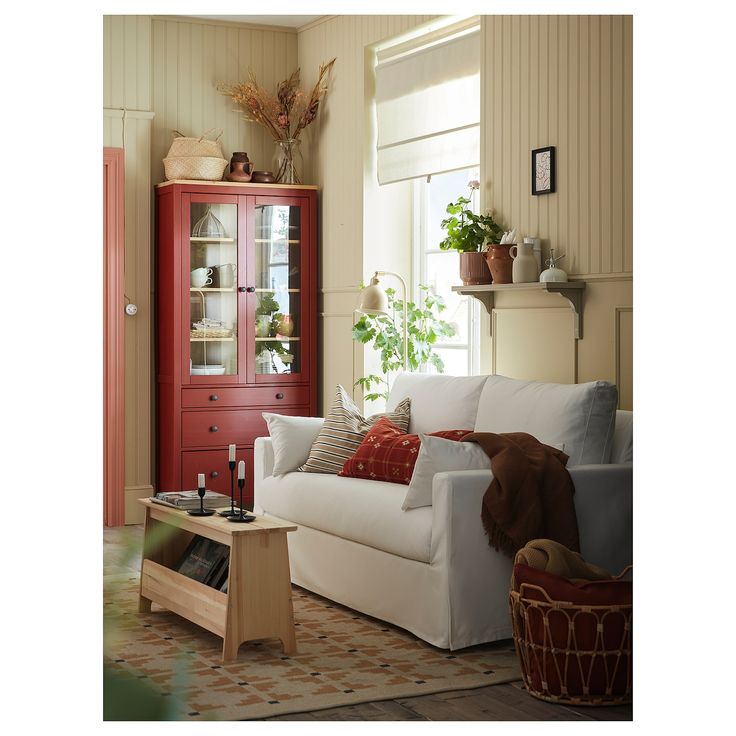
439,269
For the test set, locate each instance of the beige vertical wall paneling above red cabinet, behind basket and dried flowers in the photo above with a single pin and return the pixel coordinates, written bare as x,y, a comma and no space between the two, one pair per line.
190,58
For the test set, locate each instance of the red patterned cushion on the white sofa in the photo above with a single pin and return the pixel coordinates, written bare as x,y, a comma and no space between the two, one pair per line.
388,454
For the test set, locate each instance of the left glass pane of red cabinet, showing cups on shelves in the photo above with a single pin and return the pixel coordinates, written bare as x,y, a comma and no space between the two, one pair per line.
213,302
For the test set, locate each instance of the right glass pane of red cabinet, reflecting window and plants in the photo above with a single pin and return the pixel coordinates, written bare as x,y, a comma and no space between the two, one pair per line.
279,280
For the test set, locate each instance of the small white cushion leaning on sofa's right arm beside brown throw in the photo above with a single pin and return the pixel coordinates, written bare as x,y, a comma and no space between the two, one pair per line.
438,455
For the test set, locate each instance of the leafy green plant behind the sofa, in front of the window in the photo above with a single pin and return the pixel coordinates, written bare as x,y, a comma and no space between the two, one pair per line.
424,327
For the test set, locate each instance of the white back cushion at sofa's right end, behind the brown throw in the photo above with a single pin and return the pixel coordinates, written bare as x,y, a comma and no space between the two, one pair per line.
576,418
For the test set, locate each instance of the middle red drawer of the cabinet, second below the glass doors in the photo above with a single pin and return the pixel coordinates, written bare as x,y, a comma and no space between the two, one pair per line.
231,426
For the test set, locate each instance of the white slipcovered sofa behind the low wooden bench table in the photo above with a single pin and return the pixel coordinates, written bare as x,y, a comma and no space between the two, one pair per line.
431,570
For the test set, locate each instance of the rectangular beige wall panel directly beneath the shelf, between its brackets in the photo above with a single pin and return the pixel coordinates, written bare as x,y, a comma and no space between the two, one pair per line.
534,344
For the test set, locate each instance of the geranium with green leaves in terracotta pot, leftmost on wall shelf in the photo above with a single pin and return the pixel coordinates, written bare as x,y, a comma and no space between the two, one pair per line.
470,235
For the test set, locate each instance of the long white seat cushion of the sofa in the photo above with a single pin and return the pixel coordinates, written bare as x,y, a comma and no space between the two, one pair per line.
365,511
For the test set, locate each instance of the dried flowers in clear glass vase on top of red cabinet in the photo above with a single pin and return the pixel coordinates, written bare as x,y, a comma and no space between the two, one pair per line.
284,115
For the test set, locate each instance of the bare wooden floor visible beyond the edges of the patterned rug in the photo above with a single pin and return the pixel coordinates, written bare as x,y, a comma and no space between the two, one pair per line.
507,702
